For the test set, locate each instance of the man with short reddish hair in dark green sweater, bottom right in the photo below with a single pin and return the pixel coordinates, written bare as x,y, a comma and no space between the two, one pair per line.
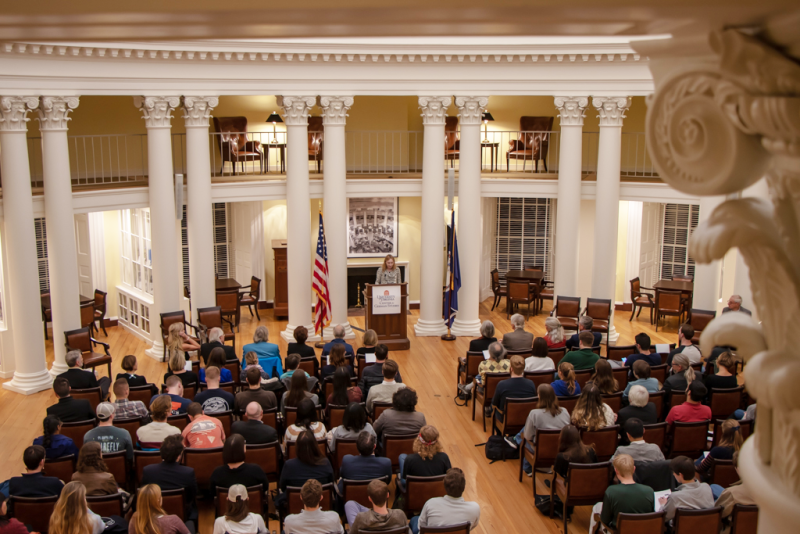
627,497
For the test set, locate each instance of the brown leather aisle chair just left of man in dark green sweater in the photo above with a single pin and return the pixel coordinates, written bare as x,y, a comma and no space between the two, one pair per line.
585,484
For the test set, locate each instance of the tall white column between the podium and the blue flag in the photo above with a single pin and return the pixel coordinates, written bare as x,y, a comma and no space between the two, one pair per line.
434,111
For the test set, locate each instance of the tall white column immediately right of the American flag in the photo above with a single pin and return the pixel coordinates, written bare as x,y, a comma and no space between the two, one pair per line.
334,190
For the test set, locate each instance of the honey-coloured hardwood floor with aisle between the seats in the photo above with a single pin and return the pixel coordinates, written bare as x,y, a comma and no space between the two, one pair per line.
429,367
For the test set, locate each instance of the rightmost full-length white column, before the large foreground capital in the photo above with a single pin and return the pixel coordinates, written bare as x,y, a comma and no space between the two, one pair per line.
604,274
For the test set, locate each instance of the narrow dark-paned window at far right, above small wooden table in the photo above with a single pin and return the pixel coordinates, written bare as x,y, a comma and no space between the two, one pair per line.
680,220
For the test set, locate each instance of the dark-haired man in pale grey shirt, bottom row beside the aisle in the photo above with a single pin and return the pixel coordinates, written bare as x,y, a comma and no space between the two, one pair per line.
452,509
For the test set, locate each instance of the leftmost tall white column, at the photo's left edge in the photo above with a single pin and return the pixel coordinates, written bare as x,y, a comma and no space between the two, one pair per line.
31,373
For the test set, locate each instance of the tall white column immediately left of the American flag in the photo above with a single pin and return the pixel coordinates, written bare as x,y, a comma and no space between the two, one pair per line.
298,208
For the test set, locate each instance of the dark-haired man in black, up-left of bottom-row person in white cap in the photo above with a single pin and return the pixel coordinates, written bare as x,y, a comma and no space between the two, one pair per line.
172,474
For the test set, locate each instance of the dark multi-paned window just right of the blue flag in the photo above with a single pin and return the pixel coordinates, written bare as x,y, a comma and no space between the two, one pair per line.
523,235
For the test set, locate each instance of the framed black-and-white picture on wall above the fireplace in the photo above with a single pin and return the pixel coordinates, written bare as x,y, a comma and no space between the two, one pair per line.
371,227
